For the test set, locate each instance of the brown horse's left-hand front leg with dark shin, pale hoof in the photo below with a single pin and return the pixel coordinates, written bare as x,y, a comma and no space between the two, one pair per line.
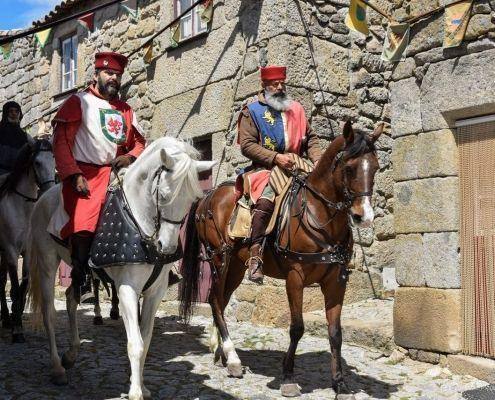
294,286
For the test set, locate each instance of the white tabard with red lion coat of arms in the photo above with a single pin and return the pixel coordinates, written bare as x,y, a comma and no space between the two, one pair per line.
102,130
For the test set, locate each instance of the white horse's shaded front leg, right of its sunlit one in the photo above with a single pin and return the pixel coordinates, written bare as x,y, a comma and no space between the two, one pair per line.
151,301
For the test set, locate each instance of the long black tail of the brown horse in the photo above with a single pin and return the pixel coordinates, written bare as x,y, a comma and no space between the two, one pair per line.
189,288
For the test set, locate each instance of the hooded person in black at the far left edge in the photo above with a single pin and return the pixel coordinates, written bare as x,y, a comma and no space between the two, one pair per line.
12,137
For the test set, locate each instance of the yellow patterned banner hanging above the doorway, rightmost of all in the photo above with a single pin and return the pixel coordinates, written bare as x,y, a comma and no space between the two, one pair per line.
456,21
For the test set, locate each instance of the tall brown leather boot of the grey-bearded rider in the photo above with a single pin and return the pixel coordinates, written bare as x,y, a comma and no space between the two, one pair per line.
262,213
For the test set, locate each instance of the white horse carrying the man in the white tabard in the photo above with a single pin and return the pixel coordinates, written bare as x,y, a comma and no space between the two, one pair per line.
166,171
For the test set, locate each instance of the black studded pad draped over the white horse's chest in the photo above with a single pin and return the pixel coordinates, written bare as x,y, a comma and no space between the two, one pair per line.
117,240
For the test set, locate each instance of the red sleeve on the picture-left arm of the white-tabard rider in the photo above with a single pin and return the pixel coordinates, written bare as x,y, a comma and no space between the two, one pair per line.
66,122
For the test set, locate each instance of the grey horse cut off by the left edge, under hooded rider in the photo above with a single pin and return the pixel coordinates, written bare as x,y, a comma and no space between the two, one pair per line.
33,171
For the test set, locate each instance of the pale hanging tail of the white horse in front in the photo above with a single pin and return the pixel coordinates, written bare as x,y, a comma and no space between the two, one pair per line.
34,293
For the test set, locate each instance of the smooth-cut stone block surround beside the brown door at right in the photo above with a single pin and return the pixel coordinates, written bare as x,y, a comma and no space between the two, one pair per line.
431,89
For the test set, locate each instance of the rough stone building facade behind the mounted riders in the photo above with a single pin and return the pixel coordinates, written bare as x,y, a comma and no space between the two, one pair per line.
195,91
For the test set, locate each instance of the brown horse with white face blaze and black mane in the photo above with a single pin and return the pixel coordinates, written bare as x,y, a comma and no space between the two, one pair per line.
313,245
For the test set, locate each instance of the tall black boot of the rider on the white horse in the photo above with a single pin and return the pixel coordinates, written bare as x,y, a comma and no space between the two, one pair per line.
81,275
